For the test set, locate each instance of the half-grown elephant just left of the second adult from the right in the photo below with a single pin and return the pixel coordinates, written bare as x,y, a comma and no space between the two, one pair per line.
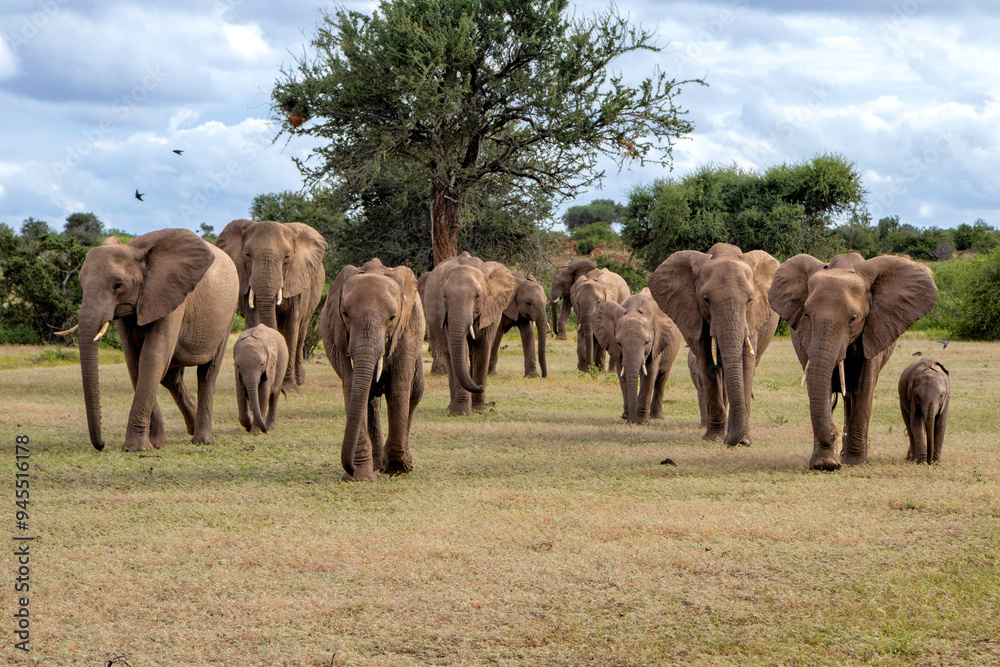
646,342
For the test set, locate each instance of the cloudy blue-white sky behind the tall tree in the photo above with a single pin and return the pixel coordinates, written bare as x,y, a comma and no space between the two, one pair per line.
94,96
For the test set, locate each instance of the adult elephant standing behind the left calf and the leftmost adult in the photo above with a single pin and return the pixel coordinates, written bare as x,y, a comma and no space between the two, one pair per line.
280,265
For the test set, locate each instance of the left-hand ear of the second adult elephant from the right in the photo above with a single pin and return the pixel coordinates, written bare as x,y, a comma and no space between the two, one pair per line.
673,287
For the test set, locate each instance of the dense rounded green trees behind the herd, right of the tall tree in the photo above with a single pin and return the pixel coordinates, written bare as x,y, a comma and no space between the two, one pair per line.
785,210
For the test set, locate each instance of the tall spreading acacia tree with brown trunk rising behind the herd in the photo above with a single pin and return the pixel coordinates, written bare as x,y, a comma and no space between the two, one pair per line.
474,89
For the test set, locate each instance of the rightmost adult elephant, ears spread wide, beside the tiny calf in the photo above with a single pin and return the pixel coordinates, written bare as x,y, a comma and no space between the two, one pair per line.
845,317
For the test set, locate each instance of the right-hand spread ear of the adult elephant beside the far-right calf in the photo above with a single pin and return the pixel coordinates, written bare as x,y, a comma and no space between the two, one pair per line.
902,292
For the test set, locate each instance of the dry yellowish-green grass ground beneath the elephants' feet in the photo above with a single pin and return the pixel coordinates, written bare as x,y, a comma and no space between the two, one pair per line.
544,532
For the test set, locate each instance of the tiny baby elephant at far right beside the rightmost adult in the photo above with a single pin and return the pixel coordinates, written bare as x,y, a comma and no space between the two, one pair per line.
924,389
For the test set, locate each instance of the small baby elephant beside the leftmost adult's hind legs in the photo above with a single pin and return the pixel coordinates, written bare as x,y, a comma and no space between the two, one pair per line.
261,357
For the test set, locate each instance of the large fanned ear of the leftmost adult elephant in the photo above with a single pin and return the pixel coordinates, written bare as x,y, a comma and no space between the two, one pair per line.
175,261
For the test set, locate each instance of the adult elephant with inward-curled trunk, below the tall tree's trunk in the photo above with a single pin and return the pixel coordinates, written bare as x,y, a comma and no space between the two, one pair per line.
465,298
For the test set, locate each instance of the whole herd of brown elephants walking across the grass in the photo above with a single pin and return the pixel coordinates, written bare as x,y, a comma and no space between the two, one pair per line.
174,297
